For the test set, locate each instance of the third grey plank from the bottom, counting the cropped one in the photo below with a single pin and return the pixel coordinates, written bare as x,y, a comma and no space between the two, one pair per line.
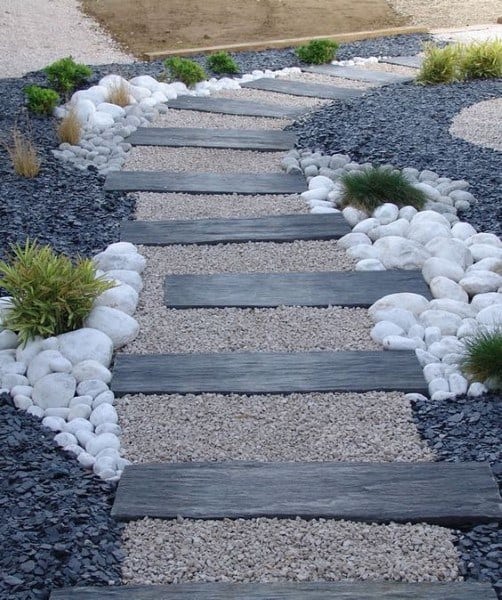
268,373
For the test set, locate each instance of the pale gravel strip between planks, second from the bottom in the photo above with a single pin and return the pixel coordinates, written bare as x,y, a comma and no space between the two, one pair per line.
374,426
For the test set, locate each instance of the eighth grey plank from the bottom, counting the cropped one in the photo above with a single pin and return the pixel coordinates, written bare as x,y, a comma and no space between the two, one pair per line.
229,106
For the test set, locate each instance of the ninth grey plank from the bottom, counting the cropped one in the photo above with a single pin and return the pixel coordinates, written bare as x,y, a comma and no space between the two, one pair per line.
301,88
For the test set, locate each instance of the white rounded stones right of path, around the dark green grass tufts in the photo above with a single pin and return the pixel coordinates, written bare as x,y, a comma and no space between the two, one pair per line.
463,268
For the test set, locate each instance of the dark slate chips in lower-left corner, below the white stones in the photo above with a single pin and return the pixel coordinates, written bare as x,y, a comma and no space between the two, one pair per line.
56,528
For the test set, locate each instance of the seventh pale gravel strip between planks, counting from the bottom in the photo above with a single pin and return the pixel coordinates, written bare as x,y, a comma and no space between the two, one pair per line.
193,118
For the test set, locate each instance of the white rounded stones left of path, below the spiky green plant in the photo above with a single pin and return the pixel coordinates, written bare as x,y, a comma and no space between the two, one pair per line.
64,379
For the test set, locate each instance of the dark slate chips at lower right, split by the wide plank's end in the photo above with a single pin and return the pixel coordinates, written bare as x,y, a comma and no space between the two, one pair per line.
469,429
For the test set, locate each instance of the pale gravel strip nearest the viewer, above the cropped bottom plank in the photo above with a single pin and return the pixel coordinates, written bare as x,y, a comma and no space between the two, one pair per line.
267,550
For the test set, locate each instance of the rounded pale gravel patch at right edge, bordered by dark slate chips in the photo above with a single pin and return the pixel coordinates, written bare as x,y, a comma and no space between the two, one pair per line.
480,124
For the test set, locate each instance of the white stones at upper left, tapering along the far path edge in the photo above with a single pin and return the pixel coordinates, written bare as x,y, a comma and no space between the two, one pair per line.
106,125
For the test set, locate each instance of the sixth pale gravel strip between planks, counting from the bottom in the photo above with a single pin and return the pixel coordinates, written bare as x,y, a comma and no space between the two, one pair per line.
202,160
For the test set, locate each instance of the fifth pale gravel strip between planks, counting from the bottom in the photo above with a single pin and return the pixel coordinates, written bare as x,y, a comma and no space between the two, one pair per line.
157,207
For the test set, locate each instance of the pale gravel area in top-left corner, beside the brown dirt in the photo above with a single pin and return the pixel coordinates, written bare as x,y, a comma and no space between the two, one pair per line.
35,33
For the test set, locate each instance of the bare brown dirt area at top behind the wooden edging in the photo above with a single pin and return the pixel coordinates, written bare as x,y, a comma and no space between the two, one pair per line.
152,25
